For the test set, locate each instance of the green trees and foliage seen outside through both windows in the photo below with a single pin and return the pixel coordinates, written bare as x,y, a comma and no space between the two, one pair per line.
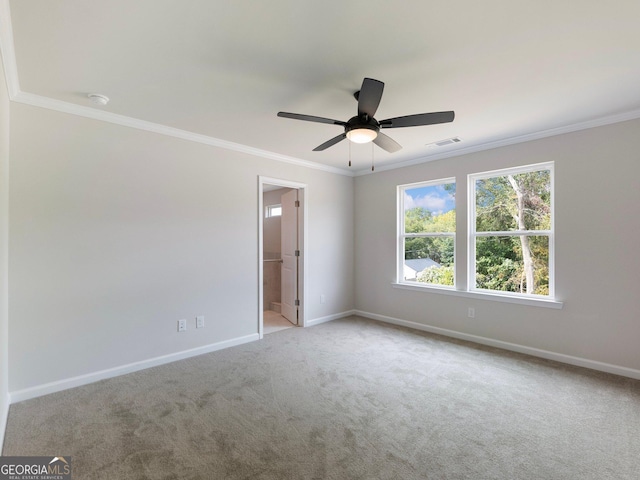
503,263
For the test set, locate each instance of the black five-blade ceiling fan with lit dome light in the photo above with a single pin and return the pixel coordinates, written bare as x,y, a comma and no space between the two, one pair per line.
364,127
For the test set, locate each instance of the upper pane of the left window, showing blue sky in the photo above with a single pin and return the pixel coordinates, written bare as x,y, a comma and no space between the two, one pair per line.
430,209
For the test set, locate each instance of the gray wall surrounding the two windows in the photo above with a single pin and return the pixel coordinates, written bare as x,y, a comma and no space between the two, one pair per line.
597,261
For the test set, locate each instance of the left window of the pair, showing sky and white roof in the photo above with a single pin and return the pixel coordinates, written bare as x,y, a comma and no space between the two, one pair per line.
426,246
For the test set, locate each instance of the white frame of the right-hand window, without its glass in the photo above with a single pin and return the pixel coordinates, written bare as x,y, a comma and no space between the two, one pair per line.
473,234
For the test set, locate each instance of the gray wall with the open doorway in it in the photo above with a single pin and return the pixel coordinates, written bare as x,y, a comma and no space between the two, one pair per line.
117,233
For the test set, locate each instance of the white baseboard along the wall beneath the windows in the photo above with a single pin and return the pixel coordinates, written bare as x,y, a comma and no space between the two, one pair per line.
536,352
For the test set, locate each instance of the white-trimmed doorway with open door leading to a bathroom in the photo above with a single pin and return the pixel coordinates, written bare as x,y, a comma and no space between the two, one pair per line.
281,255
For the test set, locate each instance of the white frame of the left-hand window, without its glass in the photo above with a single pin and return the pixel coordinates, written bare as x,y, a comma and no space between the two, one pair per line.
402,235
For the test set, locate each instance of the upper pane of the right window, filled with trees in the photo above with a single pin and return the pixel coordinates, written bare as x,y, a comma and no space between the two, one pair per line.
514,202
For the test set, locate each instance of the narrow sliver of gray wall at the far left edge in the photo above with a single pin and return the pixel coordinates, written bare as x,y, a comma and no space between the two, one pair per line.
4,247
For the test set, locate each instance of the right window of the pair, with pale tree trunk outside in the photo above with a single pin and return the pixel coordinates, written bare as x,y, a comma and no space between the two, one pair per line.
511,231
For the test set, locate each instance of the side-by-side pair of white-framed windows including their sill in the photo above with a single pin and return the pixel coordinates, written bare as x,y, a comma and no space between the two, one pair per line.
509,236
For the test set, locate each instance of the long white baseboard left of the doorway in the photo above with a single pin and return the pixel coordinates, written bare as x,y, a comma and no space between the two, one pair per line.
47,388
